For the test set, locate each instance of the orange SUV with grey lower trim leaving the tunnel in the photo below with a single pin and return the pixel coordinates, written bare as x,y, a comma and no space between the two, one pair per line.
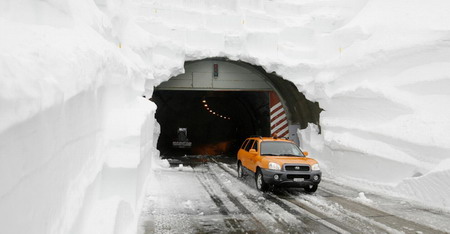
277,163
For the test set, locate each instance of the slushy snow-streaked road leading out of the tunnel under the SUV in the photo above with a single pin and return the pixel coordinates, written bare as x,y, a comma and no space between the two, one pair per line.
206,197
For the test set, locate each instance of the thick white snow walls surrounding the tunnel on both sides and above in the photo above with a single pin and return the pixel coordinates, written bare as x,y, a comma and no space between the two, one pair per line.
74,131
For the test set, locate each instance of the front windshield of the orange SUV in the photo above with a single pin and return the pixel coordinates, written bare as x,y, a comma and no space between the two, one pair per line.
279,148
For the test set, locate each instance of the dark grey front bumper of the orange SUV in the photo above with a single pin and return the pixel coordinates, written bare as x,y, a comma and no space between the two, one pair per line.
291,178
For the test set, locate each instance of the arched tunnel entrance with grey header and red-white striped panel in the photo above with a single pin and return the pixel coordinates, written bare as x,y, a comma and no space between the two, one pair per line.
217,103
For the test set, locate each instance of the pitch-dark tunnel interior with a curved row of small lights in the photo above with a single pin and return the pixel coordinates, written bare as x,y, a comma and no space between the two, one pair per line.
217,122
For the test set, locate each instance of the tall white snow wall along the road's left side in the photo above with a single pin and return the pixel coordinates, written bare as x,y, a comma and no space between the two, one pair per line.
72,120
